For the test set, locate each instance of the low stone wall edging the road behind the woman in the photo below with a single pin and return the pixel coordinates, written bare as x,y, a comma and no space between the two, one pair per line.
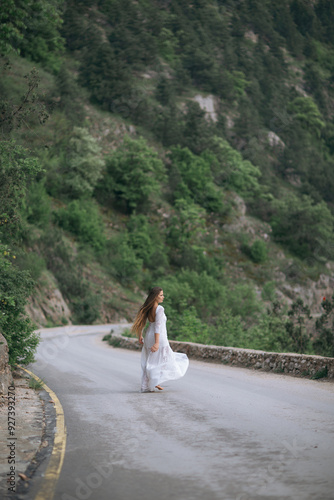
302,365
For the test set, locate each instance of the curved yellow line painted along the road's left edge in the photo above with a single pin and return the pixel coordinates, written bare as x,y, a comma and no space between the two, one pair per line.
53,470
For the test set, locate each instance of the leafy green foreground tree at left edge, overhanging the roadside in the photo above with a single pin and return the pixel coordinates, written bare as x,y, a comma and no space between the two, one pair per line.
16,170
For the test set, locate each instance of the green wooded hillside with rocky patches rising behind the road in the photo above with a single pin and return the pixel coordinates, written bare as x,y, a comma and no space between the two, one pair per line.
185,145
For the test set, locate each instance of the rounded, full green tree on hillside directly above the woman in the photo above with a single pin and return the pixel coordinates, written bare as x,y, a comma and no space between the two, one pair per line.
132,176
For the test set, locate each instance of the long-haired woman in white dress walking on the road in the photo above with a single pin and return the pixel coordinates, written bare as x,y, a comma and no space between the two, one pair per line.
159,363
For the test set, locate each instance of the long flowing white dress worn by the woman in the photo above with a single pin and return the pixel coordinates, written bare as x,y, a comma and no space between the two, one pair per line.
164,364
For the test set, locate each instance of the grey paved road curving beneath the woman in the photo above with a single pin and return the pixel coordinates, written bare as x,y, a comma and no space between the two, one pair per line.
219,433
